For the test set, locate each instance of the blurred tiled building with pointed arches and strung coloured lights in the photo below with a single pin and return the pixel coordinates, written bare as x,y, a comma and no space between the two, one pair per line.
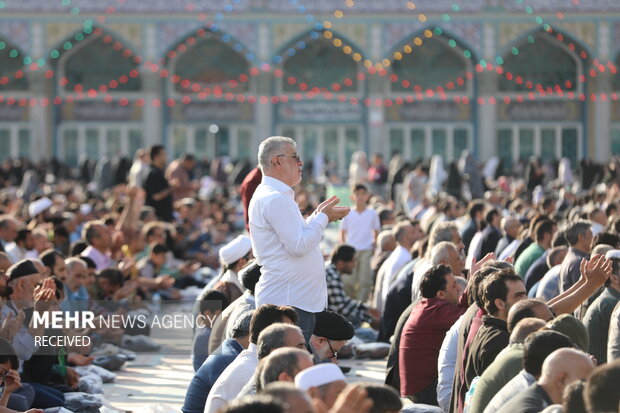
498,77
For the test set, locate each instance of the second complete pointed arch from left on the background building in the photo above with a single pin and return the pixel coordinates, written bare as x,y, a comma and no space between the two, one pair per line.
207,58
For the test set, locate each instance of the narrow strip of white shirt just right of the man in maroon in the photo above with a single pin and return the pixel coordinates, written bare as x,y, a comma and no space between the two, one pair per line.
445,365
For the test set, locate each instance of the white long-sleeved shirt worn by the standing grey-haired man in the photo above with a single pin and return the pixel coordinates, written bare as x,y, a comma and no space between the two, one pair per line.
287,247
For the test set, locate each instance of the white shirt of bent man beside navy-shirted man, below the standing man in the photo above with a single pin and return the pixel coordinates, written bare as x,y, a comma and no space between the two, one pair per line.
232,380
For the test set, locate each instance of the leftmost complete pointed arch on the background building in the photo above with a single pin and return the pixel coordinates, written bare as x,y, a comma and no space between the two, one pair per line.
97,59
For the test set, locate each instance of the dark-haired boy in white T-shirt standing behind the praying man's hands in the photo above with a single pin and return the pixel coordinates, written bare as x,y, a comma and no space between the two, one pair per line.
359,229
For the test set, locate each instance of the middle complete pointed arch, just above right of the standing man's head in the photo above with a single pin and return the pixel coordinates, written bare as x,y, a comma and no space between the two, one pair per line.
320,59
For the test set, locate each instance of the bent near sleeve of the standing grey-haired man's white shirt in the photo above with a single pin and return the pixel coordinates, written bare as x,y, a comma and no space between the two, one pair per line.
297,236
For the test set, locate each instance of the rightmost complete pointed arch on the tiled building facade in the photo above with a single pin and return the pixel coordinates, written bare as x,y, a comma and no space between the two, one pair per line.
544,60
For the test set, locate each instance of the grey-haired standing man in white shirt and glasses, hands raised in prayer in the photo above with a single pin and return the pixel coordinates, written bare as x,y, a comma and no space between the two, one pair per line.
284,244
